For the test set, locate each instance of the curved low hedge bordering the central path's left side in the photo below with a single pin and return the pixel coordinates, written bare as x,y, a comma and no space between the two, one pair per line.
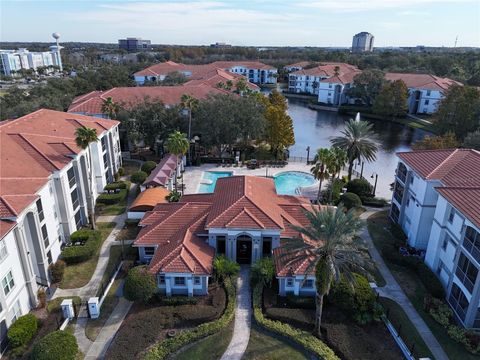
168,346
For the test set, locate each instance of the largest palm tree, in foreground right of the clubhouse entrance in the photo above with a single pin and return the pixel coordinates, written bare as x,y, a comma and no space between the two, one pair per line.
329,251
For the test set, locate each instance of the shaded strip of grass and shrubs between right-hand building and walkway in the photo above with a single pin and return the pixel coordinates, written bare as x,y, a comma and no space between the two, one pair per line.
387,238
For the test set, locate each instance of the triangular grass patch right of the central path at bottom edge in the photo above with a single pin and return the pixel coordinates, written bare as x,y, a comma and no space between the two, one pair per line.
265,347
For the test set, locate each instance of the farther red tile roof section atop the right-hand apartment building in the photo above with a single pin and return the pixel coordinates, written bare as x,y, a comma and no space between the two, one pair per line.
453,167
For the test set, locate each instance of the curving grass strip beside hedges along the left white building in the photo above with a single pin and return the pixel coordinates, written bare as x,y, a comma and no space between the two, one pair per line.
78,275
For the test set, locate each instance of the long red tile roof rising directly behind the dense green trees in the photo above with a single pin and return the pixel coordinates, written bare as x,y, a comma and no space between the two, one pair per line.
128,97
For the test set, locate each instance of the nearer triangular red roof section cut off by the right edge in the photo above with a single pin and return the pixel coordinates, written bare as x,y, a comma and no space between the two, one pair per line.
464,199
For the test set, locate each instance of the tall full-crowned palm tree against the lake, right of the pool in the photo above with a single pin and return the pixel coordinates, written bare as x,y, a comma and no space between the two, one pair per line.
357,141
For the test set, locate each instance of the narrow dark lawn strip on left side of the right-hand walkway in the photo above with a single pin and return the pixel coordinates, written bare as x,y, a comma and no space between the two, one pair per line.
408,332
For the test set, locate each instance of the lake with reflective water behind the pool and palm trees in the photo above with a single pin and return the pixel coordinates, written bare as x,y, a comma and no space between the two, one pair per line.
315,128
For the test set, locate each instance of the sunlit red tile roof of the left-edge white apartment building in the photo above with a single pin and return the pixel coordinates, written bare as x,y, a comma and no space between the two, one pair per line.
31,148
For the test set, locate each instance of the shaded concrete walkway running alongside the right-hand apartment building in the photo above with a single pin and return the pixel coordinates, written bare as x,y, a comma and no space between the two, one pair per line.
393,291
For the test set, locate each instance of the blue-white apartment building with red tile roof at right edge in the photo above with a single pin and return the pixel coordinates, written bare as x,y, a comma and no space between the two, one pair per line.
436,201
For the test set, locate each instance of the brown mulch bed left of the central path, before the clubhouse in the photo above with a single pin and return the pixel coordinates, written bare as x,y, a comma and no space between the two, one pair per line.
147,324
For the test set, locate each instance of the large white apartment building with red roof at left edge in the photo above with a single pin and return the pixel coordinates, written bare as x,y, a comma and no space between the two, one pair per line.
44,197
